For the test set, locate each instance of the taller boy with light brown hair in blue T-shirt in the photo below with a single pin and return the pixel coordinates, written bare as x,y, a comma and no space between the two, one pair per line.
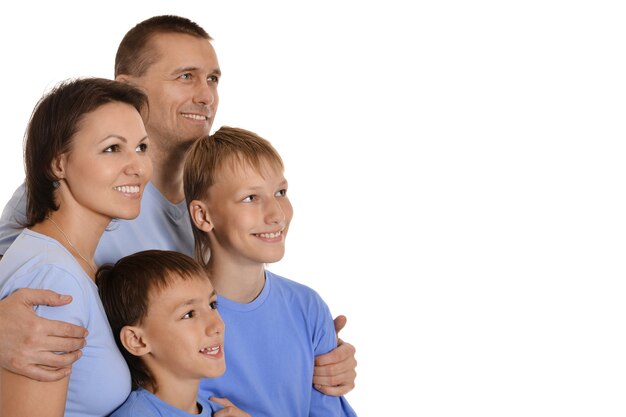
237,197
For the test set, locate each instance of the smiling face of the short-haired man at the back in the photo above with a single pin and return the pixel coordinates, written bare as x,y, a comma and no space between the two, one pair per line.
182,90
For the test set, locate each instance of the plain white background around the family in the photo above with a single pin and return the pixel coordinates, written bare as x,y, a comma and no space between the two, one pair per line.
457,170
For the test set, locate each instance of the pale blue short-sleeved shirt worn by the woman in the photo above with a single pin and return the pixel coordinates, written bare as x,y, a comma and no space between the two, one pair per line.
100,379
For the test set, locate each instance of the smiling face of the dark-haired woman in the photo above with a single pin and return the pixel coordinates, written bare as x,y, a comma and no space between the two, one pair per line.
107,168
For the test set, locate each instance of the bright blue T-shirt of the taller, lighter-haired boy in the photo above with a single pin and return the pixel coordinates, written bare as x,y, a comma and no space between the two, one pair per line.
270,347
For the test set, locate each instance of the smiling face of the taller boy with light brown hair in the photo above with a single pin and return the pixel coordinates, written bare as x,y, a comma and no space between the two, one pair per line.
250,213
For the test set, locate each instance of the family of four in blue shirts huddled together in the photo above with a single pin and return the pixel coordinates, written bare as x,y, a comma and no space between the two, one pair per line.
133,278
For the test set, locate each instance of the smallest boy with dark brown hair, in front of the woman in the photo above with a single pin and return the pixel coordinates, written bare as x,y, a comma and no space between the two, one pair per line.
163,313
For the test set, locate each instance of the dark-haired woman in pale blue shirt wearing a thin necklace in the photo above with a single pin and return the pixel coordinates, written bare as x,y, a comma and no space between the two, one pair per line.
86,164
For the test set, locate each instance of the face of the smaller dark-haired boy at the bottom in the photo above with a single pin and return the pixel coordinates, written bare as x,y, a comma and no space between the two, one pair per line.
184,332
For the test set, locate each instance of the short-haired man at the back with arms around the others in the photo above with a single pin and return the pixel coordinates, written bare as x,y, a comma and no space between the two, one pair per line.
171,58
